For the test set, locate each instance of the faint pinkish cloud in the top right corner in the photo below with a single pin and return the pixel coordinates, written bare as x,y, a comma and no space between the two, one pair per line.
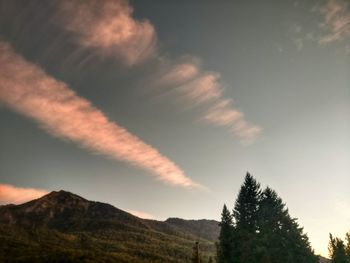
336,16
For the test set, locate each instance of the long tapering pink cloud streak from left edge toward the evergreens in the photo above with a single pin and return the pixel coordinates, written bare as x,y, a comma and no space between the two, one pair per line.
27,89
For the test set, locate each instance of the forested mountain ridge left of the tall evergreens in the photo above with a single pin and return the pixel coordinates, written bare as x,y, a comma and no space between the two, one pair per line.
64,227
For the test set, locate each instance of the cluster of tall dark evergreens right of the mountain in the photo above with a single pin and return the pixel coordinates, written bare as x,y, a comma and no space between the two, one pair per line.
260,230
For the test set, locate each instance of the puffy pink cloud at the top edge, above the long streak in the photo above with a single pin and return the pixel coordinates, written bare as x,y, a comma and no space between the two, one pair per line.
109,28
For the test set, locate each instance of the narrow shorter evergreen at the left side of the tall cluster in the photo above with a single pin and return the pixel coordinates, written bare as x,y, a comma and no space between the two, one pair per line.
224,247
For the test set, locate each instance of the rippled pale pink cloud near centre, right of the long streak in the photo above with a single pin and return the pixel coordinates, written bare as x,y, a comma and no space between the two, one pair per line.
196,87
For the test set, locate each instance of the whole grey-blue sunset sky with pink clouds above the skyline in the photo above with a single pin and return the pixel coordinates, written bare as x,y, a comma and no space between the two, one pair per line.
161,107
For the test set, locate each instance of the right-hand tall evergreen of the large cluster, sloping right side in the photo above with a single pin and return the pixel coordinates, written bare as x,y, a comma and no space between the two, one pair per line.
280,237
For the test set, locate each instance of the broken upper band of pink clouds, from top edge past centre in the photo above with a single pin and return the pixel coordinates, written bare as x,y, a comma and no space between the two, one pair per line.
108,27
